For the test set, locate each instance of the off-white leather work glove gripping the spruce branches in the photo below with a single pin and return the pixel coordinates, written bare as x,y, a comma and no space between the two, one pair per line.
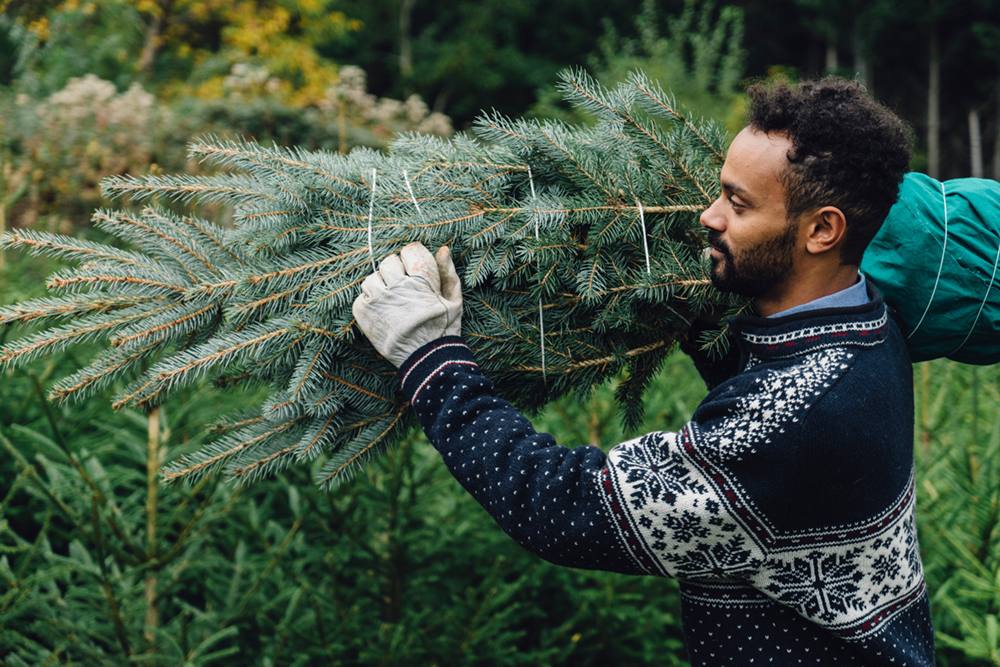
414,298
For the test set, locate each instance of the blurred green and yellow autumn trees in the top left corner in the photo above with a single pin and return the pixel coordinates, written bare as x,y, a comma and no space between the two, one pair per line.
182,46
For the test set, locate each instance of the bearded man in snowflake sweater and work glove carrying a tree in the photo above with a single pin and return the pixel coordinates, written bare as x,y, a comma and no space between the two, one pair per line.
785,506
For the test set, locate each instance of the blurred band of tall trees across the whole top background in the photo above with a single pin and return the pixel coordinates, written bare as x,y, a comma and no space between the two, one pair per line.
465,57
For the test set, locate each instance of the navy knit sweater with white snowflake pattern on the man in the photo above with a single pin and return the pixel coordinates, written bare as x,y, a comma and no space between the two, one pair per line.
784,507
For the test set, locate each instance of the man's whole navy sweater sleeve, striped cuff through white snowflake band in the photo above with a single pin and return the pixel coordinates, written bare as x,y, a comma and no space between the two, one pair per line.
574,507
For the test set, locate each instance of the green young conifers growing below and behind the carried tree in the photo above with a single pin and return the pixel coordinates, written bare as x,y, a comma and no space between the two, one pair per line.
399,566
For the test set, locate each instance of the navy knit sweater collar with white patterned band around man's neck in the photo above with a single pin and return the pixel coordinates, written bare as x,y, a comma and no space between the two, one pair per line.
864,325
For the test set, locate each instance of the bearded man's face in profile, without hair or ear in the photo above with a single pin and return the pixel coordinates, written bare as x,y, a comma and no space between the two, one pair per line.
753,243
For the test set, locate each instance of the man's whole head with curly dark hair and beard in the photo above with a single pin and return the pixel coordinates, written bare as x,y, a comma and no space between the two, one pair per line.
811,178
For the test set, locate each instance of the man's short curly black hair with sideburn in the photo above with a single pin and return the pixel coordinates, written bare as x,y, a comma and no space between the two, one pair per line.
847,151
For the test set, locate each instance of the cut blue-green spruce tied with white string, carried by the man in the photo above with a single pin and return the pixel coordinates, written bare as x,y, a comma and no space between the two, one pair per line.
579,249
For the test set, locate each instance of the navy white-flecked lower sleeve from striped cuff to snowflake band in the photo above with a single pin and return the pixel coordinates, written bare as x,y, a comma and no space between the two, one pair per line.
546,497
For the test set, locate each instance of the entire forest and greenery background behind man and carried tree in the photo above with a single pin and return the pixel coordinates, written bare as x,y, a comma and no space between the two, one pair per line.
101,564
